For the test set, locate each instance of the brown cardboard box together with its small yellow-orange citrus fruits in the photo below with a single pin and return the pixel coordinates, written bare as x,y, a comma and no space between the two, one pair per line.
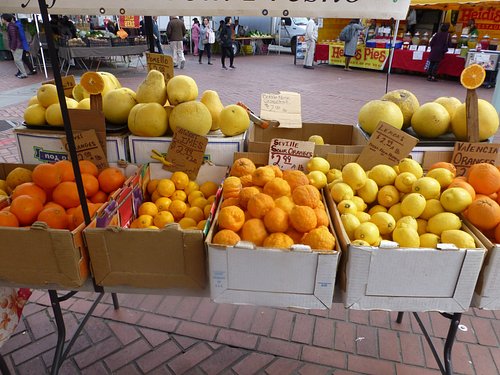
153,237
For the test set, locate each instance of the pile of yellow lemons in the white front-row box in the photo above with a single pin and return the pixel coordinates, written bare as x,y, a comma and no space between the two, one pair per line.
400,204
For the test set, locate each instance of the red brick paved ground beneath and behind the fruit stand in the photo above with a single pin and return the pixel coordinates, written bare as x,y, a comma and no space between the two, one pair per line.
174,335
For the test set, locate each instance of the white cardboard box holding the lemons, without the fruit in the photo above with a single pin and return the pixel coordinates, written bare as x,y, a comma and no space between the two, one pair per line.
405,279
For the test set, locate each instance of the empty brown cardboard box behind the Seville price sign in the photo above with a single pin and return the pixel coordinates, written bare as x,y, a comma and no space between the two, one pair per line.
338,138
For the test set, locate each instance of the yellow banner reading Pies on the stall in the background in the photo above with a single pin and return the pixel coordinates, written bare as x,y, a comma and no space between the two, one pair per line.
368,58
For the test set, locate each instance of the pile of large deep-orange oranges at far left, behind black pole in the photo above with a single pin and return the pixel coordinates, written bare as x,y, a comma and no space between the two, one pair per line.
52,195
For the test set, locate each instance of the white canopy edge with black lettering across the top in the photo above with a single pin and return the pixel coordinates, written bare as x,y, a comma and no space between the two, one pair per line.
380,9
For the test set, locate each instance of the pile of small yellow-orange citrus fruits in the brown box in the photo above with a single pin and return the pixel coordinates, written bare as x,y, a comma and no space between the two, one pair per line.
176,200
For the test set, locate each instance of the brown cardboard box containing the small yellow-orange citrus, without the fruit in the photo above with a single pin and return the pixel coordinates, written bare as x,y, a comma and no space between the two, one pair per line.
154,259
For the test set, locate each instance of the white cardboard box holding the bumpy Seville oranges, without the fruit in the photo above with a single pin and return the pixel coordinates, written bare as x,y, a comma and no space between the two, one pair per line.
245,274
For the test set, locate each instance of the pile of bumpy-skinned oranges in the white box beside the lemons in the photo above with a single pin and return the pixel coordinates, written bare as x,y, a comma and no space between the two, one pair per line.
271,208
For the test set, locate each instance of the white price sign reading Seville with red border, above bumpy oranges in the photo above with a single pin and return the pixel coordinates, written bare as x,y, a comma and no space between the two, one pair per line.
289,154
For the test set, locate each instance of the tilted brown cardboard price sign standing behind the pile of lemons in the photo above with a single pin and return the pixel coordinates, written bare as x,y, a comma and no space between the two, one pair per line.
387,145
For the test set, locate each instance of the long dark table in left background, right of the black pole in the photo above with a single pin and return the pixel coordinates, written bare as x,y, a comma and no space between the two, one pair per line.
68,53
